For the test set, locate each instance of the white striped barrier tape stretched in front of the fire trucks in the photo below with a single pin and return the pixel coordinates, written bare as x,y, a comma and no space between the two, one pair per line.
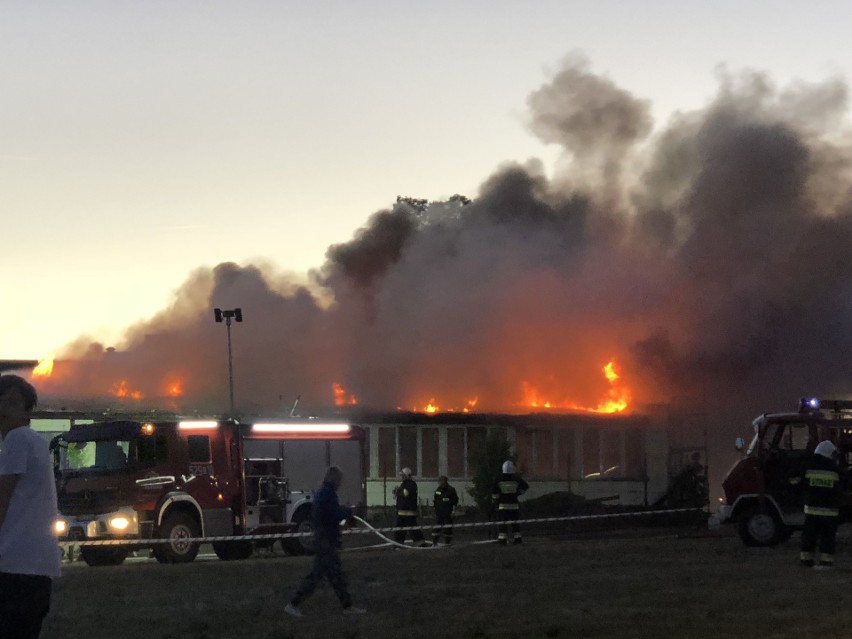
131,543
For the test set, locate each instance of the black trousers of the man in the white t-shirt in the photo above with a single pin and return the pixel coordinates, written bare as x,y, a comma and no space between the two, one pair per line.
24,603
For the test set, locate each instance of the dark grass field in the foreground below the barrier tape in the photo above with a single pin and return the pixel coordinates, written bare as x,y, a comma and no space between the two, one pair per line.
646,583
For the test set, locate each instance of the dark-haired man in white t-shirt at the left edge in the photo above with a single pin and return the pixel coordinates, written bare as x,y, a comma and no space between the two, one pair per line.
29,555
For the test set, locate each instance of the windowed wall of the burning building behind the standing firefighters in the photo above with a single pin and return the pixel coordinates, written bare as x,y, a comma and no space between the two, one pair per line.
622,461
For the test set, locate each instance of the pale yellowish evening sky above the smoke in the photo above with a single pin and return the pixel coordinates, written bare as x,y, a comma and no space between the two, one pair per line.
141,140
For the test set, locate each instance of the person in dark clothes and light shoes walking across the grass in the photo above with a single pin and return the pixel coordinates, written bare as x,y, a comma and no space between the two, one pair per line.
327,515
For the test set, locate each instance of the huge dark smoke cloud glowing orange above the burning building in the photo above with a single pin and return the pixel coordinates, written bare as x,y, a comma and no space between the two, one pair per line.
709,257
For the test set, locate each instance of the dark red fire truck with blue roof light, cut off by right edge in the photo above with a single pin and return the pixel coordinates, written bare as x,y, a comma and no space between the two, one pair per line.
764,491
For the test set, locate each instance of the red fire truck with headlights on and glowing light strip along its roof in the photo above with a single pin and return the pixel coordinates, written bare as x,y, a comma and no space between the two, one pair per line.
177,480
